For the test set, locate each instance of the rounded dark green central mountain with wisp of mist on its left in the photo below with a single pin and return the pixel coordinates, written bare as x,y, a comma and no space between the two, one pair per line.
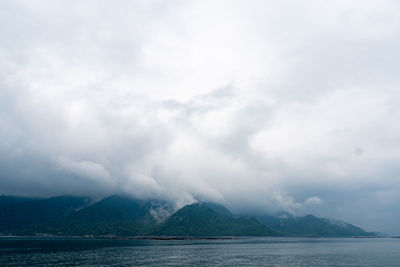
208,219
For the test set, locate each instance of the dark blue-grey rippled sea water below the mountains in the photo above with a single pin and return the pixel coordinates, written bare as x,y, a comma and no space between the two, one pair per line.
231,252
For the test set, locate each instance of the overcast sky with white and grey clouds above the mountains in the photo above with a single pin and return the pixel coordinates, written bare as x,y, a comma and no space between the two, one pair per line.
263,106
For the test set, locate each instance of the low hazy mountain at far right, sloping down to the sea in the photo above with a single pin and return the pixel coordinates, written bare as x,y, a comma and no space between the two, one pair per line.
311,226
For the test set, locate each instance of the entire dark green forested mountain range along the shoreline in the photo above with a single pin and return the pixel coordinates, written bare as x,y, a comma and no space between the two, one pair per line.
124,216
